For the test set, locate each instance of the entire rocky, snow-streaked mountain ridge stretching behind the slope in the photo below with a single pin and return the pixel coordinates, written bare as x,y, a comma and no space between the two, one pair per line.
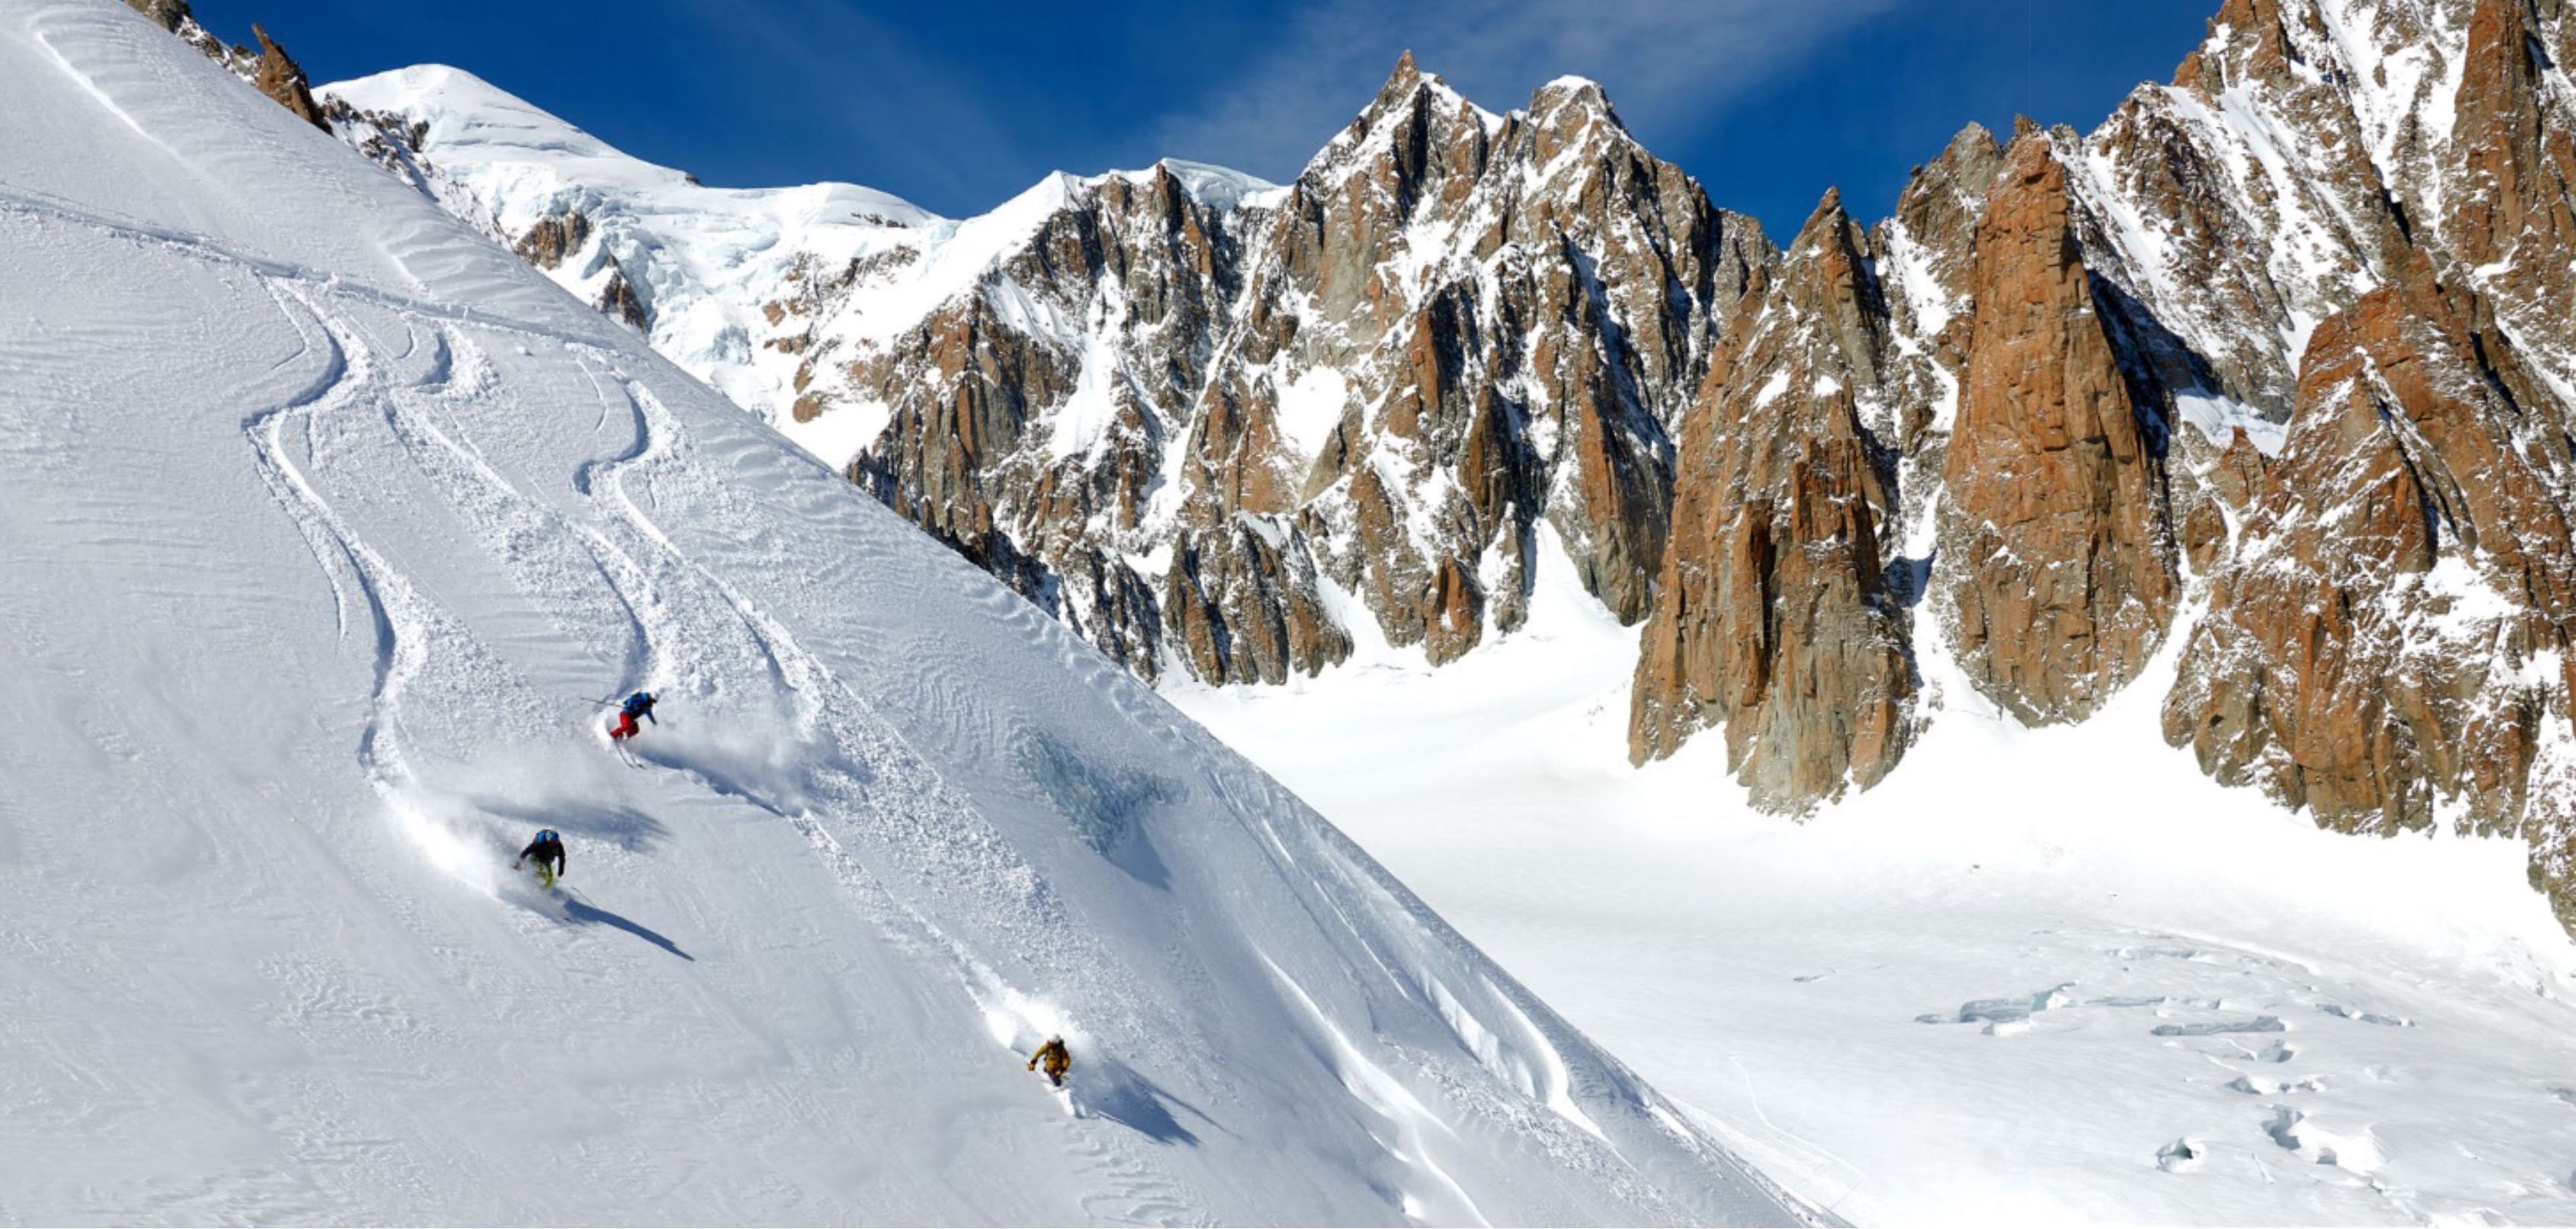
2273,362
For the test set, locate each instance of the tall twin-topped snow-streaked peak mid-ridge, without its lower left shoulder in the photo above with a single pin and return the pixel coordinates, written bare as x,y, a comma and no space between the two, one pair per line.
1477,326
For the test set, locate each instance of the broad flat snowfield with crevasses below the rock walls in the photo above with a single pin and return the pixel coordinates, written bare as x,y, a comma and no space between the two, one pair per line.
2003,986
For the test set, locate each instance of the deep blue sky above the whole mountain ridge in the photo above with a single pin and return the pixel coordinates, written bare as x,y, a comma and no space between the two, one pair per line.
962,104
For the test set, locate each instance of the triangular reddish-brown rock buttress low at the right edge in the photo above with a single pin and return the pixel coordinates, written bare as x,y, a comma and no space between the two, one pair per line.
2394,635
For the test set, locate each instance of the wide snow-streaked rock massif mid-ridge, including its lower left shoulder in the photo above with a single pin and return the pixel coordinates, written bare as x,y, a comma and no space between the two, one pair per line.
1452,336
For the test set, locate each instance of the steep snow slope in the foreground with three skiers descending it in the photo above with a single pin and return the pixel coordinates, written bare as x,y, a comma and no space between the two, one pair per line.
326,522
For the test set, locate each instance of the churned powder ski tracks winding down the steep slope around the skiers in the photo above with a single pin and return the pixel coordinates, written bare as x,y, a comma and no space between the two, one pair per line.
818,756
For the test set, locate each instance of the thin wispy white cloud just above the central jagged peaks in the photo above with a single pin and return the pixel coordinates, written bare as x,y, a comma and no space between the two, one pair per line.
1671,66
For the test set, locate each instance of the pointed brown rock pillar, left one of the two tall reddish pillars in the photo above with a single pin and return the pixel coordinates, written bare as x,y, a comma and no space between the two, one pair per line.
1774,614
